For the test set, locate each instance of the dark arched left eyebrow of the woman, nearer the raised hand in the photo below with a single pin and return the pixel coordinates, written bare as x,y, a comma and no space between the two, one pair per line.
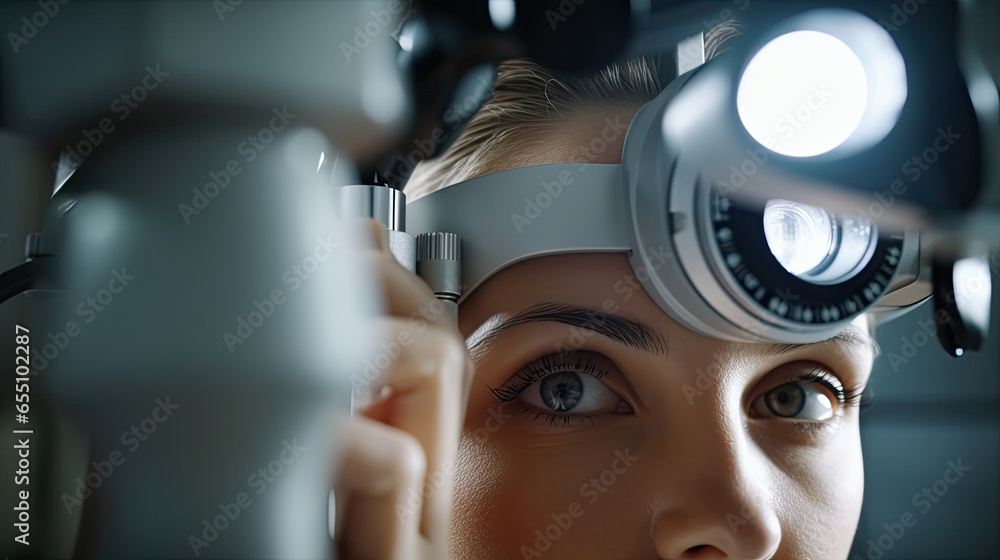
628,333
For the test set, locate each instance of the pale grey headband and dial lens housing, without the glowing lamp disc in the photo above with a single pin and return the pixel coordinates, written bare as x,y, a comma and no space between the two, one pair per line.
687,205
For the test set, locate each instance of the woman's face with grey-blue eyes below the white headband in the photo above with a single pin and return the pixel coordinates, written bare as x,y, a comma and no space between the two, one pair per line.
598,427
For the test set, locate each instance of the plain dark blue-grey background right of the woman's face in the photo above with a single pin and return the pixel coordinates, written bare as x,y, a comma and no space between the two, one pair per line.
934,409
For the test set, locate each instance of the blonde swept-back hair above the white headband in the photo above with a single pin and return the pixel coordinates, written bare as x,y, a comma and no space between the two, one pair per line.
527,100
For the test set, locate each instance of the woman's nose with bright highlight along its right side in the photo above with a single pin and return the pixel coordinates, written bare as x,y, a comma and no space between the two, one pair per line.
717,489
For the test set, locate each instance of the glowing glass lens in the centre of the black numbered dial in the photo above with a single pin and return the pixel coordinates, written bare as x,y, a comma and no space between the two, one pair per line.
813,244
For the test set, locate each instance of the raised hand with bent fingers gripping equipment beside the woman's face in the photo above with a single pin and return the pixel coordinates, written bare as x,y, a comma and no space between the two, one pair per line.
394,487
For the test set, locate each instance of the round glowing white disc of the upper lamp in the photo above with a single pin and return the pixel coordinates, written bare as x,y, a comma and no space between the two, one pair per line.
803,94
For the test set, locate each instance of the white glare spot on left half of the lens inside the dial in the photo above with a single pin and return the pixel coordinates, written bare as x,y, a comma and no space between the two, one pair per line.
800,236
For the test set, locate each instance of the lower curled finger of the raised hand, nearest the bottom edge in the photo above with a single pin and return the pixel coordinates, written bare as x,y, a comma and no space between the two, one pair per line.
380,467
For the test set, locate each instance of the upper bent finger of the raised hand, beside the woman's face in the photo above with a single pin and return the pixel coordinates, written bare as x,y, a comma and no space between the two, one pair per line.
427,383
